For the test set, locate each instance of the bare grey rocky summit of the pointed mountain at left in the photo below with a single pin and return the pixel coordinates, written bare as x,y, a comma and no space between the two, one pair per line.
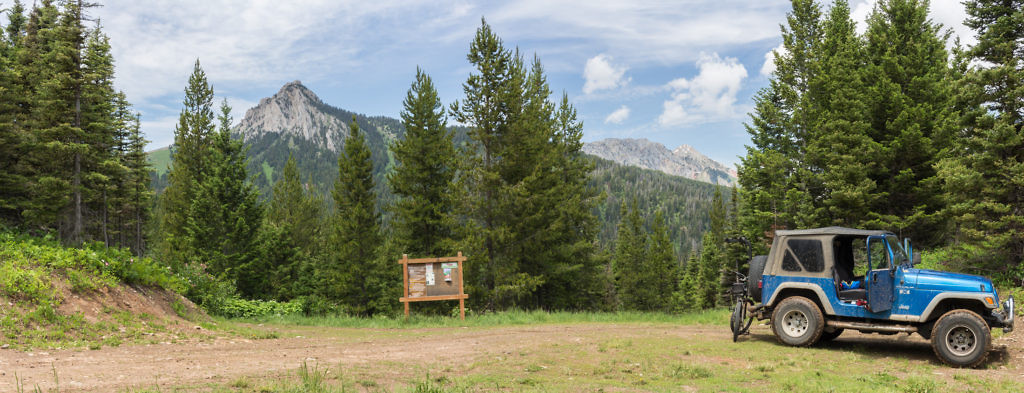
296,112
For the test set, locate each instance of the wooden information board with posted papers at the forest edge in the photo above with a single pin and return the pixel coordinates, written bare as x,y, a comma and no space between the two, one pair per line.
434,279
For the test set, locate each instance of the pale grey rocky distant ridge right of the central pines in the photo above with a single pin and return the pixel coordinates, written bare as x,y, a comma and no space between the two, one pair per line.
685,161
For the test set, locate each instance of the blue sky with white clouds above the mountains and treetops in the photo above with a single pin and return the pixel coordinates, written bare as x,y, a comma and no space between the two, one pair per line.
673,72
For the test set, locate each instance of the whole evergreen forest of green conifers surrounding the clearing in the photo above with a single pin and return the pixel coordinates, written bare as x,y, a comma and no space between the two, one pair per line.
898,128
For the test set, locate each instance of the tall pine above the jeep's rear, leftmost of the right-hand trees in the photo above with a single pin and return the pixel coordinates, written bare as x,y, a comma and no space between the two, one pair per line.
779,186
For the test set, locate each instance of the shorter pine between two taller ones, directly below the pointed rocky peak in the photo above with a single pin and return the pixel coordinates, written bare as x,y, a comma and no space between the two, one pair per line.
295,216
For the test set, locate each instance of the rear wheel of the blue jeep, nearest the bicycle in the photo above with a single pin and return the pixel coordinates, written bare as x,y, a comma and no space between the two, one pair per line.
798,322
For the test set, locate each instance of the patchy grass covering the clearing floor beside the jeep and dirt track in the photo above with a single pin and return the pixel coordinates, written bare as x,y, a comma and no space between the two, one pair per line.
647,353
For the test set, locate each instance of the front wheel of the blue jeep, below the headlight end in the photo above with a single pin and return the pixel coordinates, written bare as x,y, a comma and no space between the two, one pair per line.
961,339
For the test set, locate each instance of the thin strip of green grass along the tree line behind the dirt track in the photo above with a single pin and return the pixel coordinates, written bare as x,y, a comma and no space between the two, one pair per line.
717,318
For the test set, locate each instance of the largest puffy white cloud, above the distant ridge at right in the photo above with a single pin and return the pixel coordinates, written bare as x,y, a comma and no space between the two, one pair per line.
709,97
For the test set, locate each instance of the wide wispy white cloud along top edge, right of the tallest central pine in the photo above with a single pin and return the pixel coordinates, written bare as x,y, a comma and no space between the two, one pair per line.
645,32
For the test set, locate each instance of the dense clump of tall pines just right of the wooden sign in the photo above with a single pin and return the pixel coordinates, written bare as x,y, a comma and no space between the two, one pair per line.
523,160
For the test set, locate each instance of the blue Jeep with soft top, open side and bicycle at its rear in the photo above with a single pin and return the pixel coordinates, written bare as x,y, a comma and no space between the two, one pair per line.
815,284
